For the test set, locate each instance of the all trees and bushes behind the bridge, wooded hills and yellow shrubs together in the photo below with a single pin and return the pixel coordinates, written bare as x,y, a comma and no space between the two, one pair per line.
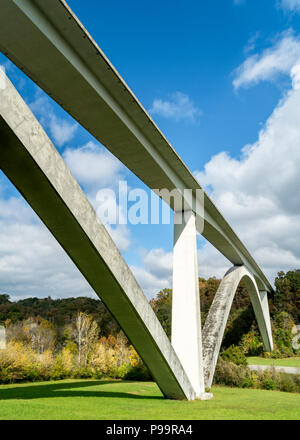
79,338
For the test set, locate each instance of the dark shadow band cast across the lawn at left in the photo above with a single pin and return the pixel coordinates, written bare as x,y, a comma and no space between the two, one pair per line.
67,389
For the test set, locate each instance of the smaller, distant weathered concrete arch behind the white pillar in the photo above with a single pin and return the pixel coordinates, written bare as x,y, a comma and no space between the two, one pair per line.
216,320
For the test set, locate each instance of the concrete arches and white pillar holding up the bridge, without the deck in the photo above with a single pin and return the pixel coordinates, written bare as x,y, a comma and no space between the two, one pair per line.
34,166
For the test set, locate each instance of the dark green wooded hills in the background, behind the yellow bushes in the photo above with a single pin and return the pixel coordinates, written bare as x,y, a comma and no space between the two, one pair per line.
241,329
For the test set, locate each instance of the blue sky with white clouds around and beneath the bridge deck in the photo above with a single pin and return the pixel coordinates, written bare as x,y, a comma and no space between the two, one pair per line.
222,81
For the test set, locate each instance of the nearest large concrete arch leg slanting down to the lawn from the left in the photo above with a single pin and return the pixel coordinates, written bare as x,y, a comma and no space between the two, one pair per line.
34,166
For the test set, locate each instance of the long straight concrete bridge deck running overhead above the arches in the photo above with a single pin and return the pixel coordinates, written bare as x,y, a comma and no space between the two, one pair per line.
38,35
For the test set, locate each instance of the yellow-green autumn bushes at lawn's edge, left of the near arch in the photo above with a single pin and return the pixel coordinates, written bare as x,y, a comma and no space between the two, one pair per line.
33,352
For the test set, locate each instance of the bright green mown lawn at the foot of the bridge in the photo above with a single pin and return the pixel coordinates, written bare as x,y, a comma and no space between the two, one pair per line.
95,399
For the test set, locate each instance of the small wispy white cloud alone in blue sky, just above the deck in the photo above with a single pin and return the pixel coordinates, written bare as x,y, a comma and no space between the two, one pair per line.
178,107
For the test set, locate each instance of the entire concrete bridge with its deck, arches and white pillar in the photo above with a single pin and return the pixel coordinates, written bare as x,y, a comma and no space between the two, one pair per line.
47,41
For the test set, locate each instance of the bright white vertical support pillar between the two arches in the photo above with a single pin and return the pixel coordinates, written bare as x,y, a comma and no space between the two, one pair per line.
186,319
